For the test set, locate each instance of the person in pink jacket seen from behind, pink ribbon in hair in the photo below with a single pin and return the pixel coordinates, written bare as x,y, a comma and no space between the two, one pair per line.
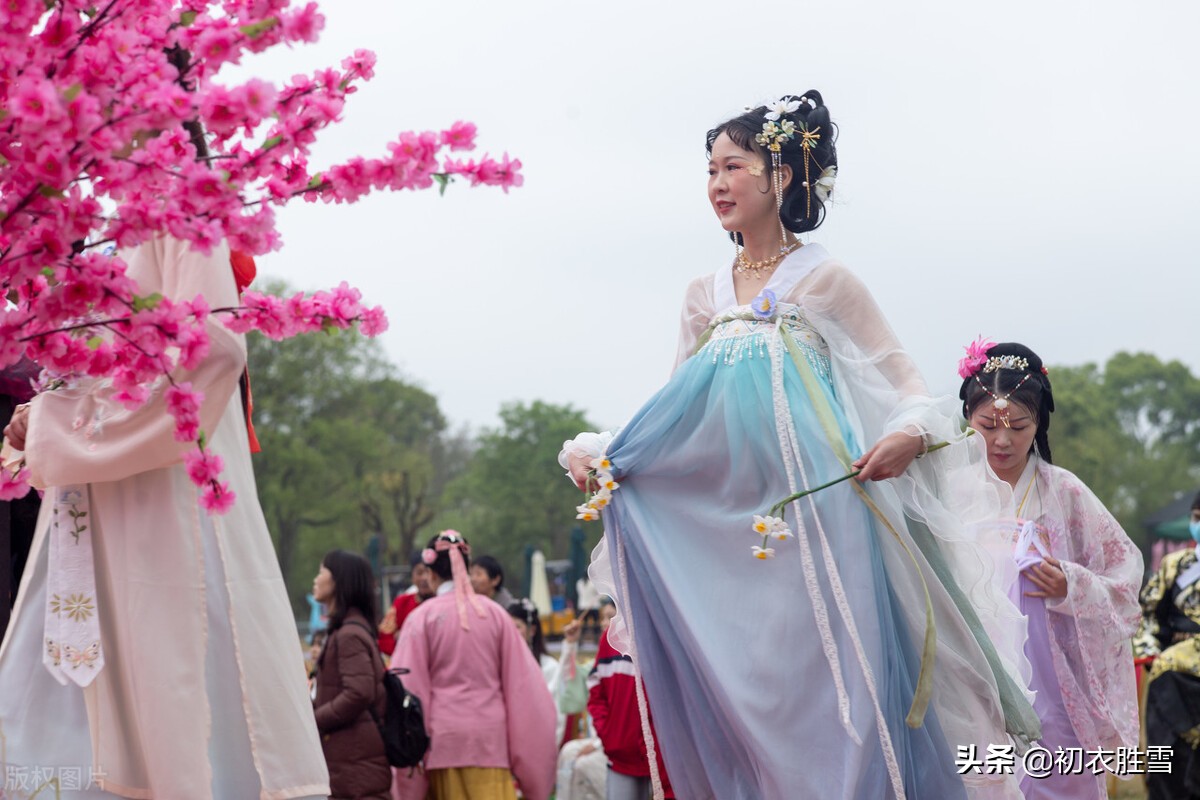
488,711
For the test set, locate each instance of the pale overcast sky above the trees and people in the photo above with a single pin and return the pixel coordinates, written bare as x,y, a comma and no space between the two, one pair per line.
1028,171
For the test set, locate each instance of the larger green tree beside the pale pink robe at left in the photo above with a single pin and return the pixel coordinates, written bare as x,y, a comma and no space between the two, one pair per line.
350,450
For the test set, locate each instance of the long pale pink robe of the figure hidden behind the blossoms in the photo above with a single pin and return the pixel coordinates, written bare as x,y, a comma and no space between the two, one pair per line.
205,694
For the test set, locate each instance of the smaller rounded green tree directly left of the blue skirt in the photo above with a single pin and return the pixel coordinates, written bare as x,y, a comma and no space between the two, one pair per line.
514,494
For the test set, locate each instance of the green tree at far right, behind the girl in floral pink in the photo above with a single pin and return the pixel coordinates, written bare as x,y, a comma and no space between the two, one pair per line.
1131,431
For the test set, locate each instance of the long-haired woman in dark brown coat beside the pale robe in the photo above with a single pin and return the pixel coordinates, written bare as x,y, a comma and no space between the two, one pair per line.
350,682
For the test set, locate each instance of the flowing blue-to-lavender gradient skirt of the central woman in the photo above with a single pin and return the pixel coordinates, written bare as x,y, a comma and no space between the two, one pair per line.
757,684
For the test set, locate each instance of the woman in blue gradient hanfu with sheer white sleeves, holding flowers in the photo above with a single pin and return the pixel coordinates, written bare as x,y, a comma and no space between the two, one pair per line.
847,655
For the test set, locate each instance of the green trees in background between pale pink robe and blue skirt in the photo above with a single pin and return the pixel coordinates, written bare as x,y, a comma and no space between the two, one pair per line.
355,456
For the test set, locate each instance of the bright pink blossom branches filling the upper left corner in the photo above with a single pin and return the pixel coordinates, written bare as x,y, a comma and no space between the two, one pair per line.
116,133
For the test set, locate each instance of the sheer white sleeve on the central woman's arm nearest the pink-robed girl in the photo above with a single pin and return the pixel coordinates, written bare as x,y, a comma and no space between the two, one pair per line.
951,501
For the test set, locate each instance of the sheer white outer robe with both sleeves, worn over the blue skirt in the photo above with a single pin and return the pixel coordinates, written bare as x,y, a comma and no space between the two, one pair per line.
949,500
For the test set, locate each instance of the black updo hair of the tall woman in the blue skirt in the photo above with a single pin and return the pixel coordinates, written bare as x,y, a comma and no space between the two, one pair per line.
799,213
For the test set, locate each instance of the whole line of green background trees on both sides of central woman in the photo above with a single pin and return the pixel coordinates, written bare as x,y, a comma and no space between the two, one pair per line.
358,458
